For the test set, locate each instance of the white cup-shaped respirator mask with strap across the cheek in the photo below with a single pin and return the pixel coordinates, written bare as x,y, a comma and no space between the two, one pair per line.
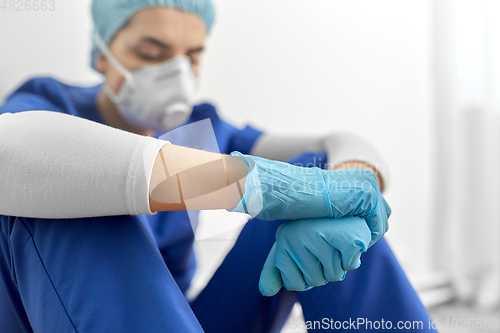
157,97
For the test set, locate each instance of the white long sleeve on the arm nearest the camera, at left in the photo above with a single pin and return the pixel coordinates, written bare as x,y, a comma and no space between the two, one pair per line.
55,165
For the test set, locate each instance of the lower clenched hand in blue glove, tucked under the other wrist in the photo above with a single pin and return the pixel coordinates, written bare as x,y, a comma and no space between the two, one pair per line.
310,253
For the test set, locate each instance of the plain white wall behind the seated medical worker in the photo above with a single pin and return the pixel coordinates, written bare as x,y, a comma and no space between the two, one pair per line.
288,66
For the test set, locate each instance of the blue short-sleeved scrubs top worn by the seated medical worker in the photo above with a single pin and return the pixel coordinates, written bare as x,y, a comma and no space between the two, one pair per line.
172,230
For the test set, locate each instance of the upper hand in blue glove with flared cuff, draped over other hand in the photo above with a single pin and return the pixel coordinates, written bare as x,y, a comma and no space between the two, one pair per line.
277,190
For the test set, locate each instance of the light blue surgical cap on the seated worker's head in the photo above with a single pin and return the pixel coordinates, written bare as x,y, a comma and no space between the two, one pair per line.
110,15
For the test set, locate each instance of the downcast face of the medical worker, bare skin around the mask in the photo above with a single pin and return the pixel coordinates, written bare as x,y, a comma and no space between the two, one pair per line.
151,36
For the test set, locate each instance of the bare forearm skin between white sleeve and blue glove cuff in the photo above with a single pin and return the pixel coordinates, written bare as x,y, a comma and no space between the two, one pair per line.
190,179
